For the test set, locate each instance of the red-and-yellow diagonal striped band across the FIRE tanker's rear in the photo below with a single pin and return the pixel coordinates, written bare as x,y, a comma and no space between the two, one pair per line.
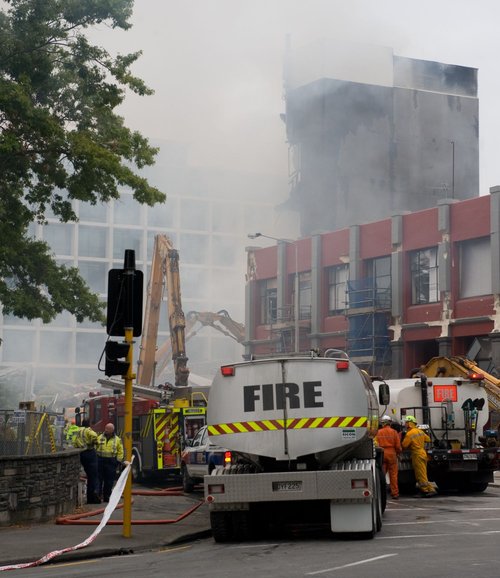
291,423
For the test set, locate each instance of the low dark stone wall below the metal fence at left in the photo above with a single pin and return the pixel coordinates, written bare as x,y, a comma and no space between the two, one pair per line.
38,488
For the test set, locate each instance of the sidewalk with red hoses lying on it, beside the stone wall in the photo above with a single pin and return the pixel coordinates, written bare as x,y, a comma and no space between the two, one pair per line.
158,520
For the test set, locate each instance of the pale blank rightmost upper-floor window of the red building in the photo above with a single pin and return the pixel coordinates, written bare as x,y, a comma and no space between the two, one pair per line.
475,267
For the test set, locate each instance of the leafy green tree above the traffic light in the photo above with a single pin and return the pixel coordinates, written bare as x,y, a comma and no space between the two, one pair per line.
60,141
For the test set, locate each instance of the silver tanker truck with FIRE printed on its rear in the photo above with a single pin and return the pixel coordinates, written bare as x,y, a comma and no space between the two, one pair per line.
300,429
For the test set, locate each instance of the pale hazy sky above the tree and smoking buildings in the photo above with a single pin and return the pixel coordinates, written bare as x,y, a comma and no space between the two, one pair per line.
216,67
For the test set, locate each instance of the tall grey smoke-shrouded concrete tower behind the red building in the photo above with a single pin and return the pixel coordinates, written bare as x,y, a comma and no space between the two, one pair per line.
372,134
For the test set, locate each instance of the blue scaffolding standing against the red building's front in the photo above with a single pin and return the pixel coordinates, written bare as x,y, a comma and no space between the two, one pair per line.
368,314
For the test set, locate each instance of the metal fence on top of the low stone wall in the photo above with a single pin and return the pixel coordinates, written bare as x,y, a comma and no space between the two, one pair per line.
25,432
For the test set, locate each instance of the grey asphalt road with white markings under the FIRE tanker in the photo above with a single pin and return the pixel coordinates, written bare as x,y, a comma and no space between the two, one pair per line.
451,535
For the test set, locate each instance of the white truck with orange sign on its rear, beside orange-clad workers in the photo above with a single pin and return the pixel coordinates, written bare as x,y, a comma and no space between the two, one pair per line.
454,411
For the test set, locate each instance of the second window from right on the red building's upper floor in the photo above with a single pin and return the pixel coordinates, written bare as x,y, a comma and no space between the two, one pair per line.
424,276
